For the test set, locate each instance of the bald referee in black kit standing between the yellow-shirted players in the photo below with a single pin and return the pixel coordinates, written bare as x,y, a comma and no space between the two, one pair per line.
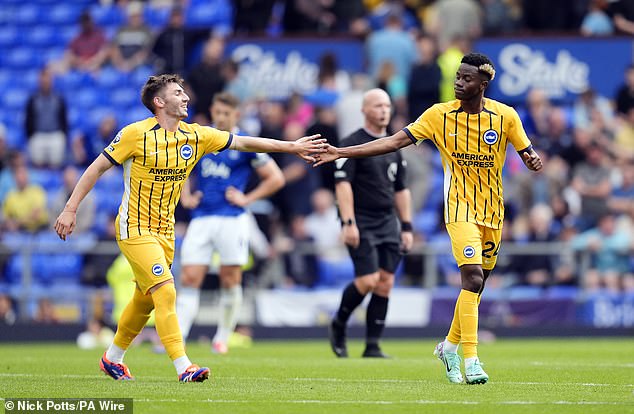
372,197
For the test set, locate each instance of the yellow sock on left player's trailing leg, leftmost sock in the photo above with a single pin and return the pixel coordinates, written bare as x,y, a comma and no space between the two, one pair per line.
133,319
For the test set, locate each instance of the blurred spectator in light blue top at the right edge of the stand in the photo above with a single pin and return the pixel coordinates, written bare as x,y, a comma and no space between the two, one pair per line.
608,245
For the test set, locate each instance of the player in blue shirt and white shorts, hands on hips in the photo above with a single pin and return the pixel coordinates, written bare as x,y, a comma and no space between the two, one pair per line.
220,223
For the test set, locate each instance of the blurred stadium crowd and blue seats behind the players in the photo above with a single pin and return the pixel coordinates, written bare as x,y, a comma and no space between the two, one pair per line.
66,115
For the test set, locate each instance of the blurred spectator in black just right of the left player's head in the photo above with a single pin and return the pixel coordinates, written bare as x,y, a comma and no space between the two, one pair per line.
205,79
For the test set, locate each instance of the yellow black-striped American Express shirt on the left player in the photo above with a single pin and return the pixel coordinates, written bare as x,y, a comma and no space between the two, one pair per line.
156,164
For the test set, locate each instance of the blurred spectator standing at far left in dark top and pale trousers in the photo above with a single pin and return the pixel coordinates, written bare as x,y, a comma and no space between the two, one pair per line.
46,123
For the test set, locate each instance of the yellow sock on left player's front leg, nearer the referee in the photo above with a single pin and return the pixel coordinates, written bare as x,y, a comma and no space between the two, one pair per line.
167,322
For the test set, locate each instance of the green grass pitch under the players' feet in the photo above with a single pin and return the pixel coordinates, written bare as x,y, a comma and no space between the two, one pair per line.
527,376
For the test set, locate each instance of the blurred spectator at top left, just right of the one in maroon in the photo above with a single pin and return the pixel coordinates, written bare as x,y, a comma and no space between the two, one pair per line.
132,43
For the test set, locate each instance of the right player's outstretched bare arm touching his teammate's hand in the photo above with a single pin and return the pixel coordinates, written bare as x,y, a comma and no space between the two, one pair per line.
375,147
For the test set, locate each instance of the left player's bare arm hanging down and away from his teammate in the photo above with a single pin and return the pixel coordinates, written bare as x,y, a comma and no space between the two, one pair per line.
65,223
